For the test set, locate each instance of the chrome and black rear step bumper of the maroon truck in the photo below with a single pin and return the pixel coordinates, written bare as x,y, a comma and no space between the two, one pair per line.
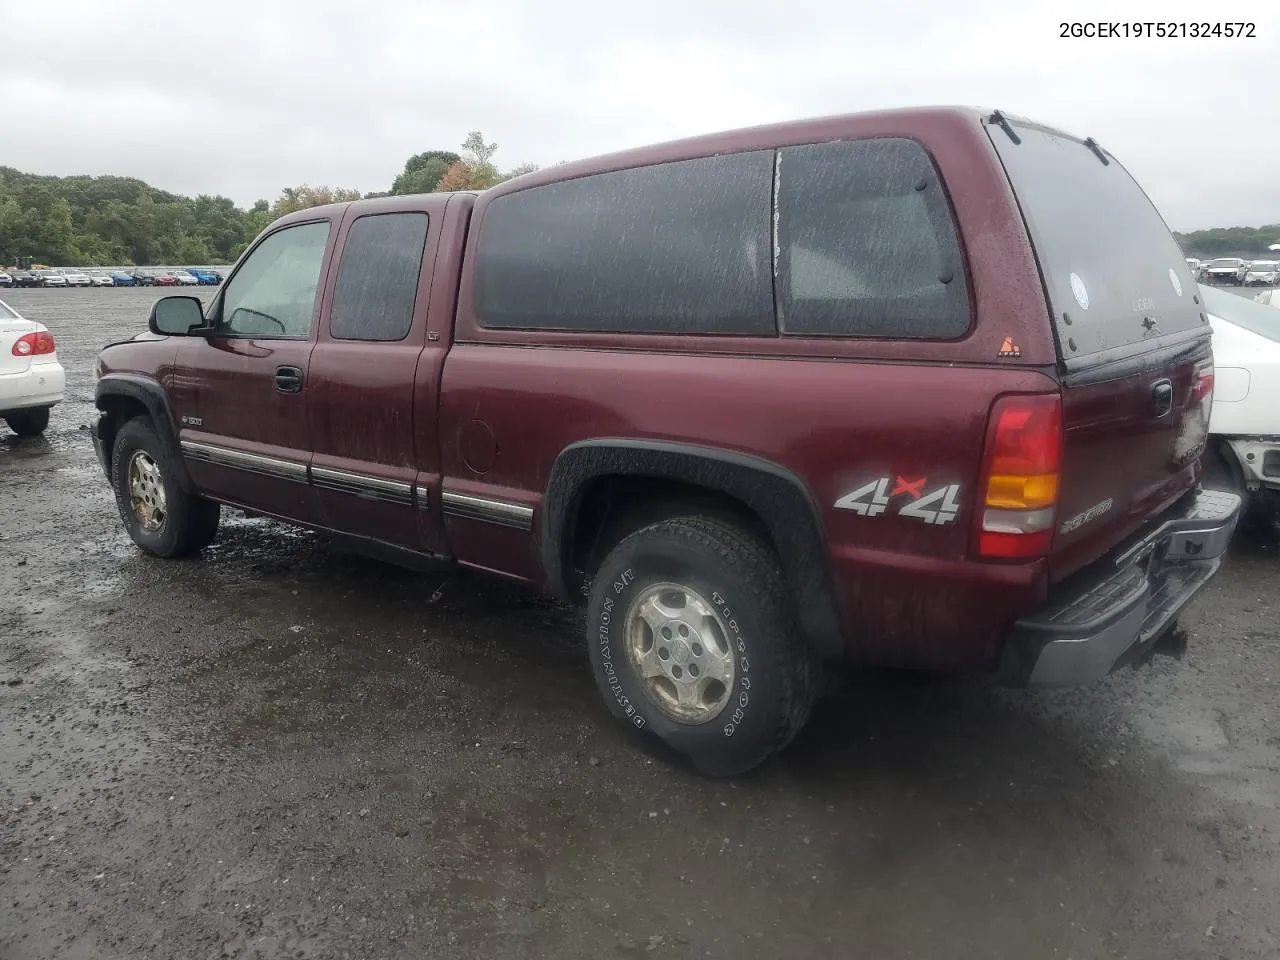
1105,616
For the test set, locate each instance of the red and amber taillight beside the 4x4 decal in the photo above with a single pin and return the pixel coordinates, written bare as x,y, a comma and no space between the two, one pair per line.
1022,465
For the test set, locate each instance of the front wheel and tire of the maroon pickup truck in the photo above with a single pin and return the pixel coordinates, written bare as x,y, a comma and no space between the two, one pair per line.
159,516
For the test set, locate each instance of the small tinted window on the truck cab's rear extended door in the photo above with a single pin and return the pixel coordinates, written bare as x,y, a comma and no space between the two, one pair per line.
378,278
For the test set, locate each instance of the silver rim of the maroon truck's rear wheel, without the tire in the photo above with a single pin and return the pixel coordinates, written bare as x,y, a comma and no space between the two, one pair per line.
679,648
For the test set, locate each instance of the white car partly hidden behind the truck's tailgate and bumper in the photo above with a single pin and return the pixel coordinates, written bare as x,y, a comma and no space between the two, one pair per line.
1245,423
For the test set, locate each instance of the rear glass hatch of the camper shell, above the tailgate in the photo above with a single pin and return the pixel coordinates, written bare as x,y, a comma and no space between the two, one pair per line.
1113,272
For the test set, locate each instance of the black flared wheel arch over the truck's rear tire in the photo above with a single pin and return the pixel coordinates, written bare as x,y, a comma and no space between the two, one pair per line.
751,490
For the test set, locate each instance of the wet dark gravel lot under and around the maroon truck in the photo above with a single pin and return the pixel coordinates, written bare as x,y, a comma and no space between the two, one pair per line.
282,751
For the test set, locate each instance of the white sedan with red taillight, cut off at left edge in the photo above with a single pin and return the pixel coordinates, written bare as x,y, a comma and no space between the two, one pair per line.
31,378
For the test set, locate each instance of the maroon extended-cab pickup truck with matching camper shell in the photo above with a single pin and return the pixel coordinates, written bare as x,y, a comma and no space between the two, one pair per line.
924,388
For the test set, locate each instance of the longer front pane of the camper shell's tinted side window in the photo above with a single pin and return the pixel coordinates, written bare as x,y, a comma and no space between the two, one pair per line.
680,248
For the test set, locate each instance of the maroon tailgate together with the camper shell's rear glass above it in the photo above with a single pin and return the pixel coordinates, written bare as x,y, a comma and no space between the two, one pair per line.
1132,336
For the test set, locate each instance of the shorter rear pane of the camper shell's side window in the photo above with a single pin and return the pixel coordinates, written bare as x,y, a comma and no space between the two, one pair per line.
867,244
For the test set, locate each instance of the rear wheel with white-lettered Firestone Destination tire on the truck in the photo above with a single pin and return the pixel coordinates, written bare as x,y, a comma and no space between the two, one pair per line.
717,596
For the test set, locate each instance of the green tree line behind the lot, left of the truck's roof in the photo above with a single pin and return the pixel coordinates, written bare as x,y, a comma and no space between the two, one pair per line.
122,221
